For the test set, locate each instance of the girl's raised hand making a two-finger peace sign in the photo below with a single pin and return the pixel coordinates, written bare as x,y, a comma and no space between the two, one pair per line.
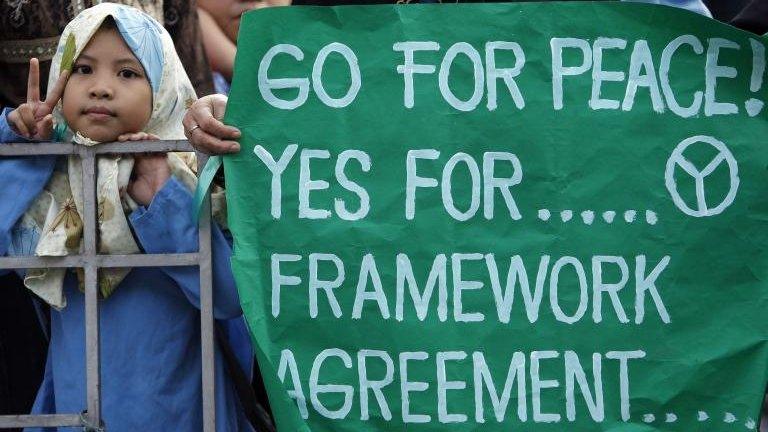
33,119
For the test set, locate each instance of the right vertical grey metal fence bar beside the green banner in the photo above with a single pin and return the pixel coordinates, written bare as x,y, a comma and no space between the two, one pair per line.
206,314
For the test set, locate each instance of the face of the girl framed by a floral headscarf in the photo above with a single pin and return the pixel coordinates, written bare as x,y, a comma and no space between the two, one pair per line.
108,93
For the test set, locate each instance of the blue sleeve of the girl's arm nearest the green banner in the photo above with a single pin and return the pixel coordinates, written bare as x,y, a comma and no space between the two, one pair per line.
167,226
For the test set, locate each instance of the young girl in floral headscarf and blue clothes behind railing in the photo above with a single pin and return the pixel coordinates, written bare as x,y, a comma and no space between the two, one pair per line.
121,80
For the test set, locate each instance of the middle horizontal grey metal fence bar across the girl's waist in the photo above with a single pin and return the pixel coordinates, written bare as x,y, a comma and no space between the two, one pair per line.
108,261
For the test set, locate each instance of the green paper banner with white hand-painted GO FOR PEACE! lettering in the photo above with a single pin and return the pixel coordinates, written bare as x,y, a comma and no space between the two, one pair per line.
531,216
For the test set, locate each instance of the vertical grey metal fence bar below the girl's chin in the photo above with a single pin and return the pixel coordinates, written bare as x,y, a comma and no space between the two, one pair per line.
92,342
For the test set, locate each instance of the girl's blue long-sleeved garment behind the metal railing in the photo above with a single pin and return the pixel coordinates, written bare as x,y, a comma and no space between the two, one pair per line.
150,326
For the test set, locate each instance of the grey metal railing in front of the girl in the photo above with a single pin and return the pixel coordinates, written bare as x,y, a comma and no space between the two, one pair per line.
91,261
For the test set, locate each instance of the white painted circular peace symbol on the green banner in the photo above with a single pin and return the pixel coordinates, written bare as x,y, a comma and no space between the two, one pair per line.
678,159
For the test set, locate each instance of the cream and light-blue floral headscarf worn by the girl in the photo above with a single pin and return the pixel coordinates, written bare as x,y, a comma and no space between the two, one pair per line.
54,219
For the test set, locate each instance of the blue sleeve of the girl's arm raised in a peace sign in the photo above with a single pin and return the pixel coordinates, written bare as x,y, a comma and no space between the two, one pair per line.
22,179
